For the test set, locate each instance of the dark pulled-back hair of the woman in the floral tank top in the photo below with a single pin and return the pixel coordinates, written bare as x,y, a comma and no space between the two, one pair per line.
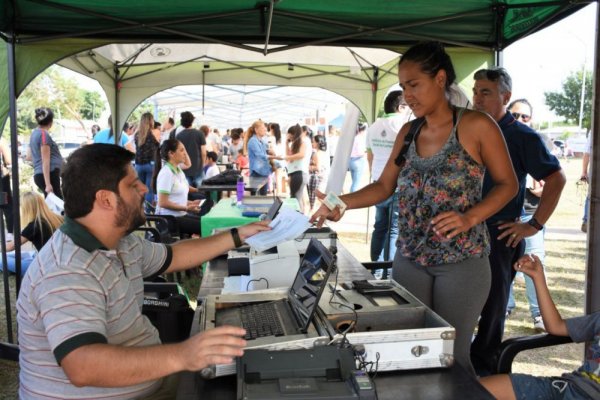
432,58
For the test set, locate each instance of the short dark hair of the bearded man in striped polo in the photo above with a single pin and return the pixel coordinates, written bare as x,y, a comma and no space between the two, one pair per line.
91,168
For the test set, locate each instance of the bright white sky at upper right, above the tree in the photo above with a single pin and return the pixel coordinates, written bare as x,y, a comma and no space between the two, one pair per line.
542,61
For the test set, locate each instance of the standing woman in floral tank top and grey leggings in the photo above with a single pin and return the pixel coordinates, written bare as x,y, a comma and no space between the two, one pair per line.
443,244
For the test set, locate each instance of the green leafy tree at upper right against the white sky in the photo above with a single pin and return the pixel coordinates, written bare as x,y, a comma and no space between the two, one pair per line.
567,102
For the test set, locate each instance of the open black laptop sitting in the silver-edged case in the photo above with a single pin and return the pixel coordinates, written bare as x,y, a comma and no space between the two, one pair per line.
292,315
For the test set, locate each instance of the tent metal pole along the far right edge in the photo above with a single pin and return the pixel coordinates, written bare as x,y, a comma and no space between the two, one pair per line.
592,303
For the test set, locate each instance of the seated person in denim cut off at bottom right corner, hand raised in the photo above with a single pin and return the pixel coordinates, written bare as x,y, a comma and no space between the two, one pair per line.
581,384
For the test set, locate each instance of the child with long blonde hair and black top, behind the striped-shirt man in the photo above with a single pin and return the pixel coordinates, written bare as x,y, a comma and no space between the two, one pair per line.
40,223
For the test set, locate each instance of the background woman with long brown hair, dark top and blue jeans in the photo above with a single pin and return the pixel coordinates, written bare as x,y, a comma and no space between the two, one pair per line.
146,148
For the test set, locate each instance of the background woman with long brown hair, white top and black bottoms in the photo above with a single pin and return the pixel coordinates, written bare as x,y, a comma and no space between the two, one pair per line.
298,160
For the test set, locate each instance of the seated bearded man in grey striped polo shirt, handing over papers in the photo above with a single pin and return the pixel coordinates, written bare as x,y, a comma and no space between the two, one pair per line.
81,331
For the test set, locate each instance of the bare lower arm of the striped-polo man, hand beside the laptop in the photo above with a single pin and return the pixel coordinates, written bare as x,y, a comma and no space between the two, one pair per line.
105,365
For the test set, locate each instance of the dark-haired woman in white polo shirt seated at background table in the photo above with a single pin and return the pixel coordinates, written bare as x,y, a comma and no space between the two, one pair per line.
173,188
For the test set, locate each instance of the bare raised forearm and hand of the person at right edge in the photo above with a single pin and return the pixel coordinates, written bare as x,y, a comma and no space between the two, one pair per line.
532,267
